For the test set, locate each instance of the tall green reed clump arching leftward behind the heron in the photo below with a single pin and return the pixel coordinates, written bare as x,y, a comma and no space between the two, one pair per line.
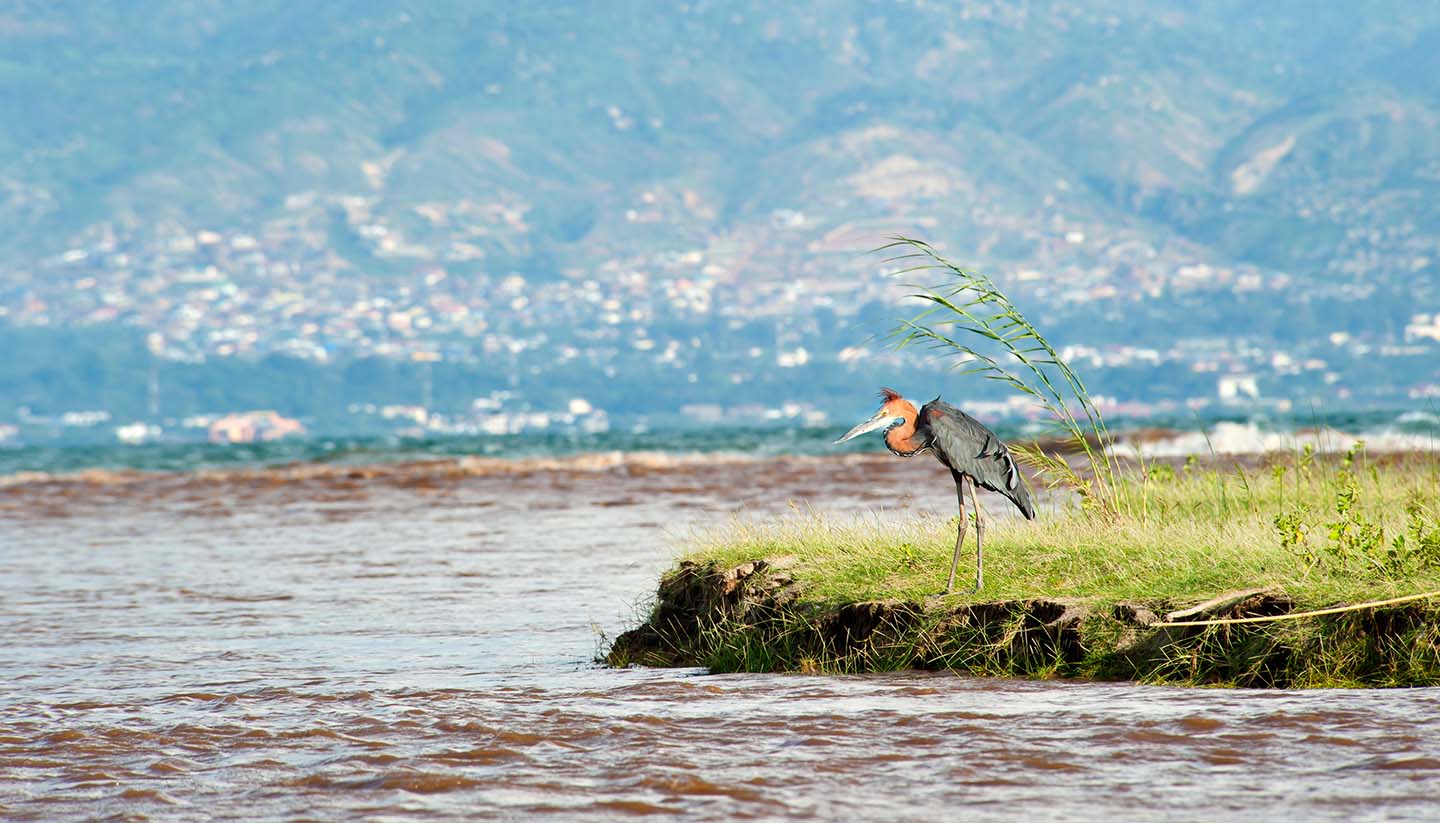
966,309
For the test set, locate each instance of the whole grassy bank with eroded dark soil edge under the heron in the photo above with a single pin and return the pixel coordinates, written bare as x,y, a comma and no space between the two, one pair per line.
1079,592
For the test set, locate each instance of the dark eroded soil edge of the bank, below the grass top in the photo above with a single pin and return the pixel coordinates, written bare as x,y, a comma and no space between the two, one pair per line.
757,618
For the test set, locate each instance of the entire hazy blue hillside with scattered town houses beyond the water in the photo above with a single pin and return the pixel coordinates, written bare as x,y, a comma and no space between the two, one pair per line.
656,208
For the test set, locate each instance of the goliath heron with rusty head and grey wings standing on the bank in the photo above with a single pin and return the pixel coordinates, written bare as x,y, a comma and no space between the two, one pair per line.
966,447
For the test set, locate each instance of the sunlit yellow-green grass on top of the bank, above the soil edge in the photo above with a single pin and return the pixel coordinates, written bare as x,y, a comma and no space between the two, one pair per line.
1323,532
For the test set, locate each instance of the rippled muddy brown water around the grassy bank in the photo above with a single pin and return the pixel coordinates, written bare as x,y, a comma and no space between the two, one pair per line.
415,644
